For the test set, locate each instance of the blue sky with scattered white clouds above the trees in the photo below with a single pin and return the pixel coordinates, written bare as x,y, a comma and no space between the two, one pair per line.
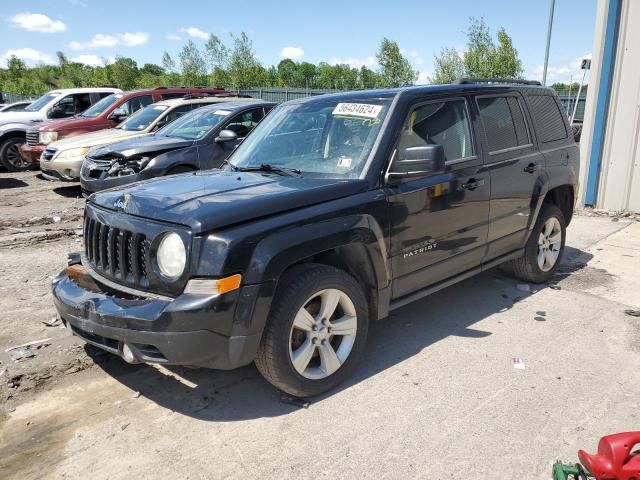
334,31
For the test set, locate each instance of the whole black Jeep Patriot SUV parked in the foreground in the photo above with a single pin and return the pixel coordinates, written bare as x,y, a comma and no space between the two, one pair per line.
334,211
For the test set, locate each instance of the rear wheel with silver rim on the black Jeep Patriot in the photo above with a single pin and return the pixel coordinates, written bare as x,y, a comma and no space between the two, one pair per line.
544,249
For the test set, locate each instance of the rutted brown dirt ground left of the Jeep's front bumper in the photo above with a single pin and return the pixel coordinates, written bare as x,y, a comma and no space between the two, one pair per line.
39,226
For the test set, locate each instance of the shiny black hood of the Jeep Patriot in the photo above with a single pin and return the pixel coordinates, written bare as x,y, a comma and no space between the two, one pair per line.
211,200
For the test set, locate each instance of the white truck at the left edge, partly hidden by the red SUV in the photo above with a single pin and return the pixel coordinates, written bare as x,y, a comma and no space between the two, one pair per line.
63,103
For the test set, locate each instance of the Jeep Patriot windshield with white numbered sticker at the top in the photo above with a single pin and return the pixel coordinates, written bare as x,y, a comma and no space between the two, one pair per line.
326,138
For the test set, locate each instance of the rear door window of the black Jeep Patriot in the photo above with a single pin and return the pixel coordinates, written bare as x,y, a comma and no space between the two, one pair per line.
503,122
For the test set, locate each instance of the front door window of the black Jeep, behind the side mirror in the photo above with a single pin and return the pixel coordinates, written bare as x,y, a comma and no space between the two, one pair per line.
440,123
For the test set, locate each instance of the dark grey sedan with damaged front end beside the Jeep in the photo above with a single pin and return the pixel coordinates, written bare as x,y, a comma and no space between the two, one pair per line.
199,140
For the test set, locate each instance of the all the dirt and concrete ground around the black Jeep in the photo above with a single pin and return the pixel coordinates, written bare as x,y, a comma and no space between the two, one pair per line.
436,396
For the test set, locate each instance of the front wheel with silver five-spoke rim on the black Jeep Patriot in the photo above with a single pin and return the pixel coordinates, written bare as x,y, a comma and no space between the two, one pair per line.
316,331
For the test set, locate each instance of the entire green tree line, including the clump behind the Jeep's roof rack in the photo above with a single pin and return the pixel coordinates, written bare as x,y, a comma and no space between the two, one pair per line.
235,65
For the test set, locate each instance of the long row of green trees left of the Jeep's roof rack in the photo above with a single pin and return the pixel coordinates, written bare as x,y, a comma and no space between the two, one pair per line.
217,64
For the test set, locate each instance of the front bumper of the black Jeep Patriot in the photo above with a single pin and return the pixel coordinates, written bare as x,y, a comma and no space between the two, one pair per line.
187,330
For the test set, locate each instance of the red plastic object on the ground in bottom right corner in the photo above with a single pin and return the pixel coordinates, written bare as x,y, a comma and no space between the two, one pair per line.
614,460
